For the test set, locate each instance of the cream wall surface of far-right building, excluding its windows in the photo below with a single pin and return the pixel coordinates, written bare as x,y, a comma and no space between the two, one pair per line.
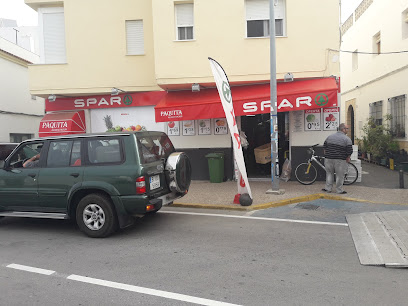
378,77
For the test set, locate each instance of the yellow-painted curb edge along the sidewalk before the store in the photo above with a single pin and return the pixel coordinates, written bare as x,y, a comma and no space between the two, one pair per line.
300,199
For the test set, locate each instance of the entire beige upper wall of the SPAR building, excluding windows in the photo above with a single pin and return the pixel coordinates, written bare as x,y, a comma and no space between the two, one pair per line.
96,45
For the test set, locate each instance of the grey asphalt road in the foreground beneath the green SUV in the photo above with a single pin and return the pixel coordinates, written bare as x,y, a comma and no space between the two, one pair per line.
187,259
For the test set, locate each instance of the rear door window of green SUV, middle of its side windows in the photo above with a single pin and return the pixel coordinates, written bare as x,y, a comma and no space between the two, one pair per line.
64,153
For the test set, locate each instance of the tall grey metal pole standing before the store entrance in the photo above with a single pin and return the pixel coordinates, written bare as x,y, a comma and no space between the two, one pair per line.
274,112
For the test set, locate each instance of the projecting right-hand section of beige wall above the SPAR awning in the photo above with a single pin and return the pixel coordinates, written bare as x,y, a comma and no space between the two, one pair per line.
220,33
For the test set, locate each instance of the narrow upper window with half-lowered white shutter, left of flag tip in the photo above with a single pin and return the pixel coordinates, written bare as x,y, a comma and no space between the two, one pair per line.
185,21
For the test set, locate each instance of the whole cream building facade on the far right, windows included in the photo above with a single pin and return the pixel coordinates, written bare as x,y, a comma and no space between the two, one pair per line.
374,67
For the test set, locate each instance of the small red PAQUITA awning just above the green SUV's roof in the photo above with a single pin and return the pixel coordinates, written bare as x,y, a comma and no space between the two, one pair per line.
66,123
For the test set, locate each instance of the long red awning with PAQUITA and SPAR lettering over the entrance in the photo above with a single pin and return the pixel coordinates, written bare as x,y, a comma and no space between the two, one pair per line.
248,100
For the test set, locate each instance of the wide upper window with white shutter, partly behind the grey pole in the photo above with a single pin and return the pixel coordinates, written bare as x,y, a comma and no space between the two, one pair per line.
257,17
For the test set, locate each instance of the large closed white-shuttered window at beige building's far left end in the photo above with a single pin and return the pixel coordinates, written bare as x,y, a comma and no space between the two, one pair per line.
52,35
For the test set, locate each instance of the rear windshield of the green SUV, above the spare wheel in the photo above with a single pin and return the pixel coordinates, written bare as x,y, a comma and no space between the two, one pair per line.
153,146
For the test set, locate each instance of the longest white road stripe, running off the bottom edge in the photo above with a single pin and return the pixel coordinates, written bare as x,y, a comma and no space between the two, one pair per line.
159,293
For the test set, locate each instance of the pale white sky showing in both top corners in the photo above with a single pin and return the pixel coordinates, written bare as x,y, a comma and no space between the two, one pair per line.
26,16
